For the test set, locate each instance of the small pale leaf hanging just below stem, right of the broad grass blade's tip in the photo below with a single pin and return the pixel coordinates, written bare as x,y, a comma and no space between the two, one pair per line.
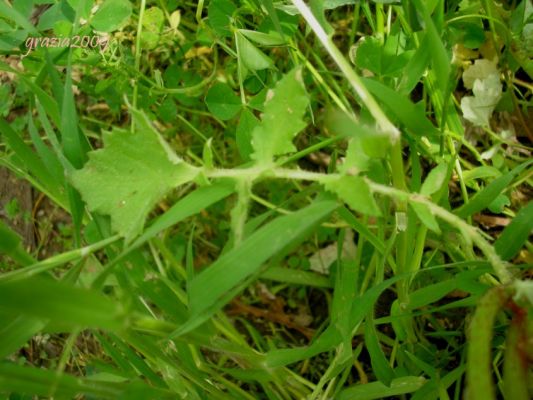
355,192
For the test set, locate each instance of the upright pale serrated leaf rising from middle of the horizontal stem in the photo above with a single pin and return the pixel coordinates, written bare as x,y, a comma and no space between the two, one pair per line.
282,120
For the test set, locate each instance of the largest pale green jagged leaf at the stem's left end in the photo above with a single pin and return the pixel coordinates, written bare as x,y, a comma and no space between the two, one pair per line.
130,175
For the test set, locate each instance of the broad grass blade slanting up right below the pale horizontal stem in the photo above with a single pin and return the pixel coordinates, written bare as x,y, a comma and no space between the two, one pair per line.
207,291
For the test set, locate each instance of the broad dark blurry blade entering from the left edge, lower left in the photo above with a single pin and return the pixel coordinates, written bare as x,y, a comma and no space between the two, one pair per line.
66,305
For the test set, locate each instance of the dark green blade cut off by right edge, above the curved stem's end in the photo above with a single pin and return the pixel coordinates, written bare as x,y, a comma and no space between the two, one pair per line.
516,233
